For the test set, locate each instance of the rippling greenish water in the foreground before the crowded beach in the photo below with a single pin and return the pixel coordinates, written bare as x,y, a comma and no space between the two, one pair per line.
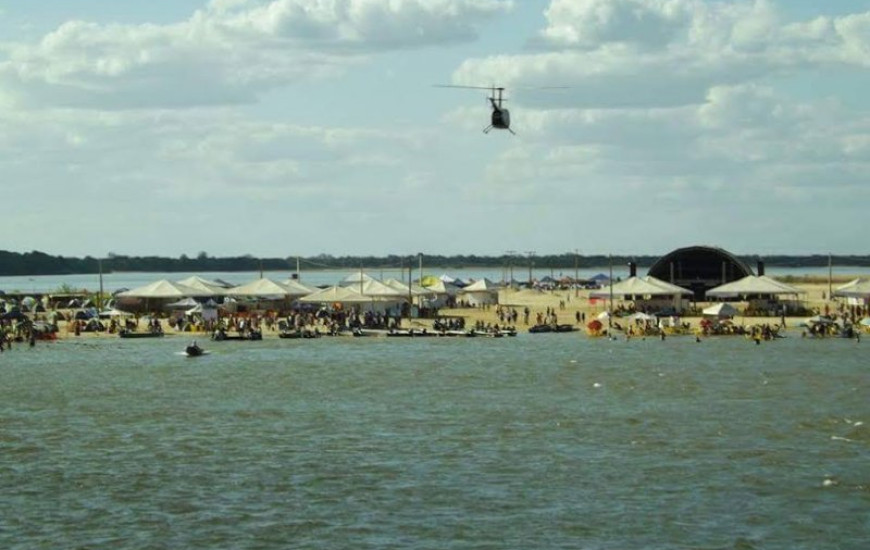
544,441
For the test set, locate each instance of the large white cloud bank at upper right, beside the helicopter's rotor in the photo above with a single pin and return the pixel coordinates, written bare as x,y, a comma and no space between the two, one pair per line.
663,53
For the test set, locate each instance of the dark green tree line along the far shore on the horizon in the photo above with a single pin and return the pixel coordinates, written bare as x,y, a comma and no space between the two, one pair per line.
39,263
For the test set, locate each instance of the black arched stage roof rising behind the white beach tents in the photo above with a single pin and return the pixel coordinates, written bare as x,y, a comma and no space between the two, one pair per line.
699,268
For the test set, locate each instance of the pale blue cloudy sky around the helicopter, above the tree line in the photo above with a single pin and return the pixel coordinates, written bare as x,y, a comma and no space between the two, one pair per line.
281,128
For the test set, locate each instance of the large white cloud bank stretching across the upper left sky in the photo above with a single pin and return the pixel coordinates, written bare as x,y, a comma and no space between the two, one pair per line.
227,53
